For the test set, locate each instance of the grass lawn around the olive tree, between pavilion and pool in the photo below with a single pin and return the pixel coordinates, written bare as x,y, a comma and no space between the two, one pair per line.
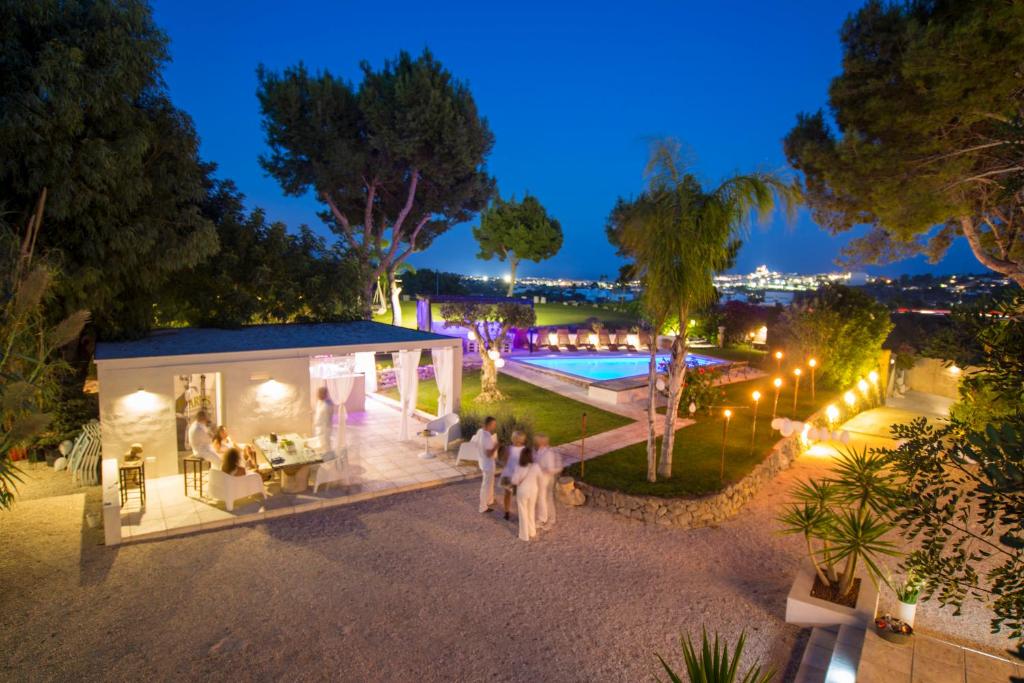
552,414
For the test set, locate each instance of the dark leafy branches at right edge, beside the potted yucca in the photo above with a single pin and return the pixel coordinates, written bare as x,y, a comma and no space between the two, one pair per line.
962,489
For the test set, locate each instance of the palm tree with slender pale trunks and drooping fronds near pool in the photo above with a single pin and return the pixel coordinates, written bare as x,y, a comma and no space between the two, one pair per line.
678,236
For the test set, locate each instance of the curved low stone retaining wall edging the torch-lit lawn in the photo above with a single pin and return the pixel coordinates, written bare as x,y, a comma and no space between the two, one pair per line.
696,513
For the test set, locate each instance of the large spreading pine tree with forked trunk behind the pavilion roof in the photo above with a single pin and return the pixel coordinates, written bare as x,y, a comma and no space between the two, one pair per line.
398,160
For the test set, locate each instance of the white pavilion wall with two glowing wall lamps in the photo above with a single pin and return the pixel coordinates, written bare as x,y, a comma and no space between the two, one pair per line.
250,407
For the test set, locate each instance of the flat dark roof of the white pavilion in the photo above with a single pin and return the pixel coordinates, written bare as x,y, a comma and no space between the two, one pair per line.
190,341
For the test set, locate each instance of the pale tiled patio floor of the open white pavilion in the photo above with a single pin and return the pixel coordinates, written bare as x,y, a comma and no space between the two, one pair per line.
382,465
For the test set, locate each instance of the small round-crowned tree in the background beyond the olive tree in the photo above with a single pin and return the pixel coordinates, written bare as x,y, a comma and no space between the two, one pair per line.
517,231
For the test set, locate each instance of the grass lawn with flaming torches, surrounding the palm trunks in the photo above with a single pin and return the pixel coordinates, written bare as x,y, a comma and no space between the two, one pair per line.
699,448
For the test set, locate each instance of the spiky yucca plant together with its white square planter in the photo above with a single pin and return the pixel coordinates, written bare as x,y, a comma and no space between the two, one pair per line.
843,522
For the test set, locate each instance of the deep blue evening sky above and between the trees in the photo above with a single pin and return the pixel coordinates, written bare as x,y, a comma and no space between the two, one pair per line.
574,94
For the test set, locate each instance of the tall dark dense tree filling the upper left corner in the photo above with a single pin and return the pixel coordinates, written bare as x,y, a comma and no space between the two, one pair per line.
86,115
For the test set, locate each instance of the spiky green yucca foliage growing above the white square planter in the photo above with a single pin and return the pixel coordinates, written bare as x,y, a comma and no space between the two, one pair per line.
843,520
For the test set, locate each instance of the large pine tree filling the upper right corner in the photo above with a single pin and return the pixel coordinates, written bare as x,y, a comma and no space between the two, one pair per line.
929,123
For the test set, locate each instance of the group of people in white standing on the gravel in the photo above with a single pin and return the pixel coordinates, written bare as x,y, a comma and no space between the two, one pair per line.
530,476
